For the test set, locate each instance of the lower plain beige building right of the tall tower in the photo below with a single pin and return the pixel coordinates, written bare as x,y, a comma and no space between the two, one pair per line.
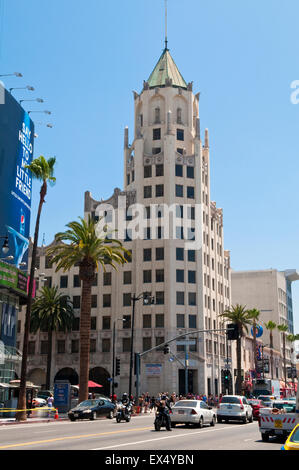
270,292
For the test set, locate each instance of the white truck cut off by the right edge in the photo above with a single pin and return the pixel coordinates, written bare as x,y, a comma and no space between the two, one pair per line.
280,419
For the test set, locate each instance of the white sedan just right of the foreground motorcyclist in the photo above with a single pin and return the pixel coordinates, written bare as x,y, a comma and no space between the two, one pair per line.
192,412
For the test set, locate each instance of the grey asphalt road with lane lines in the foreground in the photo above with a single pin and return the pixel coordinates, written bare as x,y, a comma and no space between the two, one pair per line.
139,434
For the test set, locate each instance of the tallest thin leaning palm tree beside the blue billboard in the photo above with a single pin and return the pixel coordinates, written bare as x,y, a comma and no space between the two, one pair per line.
42,170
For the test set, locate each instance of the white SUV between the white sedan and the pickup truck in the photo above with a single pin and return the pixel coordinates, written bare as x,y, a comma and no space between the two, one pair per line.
234,408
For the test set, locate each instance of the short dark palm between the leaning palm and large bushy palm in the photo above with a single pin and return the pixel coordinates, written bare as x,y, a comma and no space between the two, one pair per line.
51,311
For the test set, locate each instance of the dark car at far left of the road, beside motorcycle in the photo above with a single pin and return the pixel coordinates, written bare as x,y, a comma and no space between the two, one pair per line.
92,409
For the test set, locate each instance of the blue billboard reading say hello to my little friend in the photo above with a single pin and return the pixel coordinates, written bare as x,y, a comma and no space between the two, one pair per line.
16,151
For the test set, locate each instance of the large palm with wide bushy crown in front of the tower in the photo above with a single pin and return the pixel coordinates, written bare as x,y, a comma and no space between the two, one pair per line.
88,249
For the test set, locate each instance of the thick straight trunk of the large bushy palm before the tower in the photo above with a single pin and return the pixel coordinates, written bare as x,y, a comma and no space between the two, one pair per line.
85,339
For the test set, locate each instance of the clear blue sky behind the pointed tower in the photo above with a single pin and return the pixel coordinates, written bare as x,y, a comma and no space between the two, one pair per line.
85,58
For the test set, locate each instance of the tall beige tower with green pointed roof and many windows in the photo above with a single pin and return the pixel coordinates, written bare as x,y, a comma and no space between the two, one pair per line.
186,270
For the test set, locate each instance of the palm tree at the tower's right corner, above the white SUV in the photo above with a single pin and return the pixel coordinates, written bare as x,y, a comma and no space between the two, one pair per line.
239,315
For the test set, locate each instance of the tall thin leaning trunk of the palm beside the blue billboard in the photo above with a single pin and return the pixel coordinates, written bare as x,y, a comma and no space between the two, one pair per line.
21,416
